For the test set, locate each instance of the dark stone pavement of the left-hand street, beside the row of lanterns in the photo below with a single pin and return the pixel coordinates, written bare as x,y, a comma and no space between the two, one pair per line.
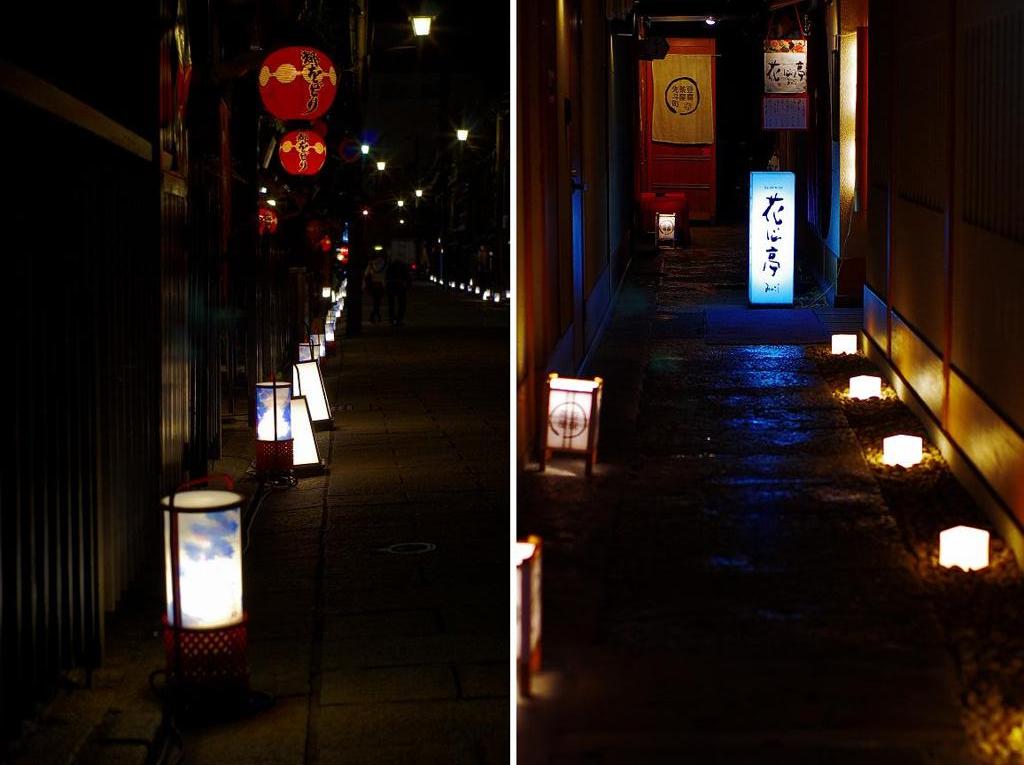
371,657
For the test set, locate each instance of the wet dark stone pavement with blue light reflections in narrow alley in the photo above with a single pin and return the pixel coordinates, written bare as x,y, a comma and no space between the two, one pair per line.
731,586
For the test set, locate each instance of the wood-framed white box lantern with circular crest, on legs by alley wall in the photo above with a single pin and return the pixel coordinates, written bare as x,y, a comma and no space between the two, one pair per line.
574,417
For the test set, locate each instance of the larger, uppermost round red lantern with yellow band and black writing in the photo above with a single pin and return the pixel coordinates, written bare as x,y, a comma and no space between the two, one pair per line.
297,83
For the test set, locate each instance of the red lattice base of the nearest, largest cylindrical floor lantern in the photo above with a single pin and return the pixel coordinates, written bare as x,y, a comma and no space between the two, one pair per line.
209,659
